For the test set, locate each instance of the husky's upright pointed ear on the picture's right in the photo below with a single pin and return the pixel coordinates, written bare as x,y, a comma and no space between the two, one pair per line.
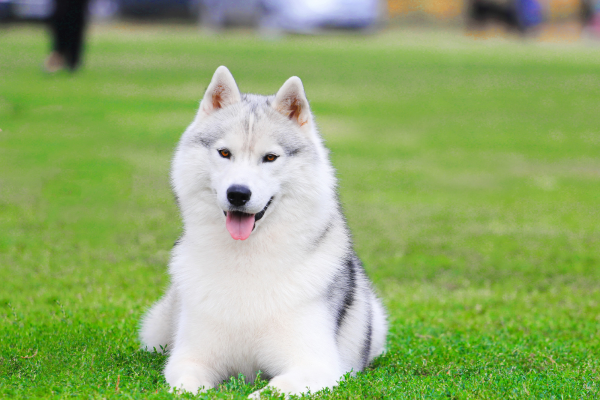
291,101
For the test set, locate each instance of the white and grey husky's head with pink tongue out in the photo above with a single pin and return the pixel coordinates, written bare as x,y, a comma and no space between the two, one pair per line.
245,153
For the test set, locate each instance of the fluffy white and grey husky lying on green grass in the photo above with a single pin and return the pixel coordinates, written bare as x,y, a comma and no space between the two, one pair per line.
264,277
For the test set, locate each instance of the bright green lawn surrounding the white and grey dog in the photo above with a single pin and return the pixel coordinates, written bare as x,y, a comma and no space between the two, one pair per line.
469,172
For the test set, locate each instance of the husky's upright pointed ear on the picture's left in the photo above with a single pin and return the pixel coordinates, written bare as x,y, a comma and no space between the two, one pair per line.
221,92
